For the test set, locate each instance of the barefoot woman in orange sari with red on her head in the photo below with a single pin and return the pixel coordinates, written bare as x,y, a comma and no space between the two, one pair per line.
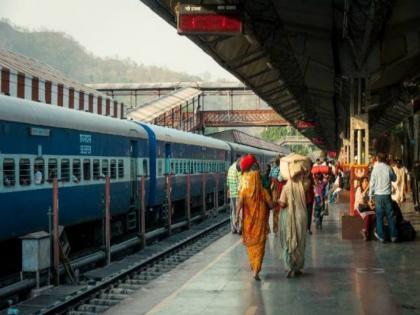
255,203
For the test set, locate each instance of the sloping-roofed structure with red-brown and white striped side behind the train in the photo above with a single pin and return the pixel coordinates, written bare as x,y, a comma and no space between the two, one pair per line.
27,78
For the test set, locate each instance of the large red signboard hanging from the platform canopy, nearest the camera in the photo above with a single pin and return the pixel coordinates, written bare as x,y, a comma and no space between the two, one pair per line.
197,19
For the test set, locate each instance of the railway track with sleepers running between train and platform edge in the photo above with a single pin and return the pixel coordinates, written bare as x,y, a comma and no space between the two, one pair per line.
105,287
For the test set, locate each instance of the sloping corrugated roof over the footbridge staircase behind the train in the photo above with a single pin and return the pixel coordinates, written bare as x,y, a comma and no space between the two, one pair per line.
154,109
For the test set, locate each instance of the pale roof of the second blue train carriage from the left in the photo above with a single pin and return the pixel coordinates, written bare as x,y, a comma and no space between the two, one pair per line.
178,136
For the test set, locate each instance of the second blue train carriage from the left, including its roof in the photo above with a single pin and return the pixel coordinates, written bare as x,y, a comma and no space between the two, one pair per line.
181,153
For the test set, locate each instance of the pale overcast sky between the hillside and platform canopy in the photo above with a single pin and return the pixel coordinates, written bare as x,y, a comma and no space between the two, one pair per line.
116,28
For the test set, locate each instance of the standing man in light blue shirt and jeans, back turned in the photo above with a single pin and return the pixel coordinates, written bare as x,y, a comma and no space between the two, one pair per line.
381,188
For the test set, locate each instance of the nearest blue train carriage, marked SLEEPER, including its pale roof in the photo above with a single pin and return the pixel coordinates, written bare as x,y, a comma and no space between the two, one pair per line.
39,142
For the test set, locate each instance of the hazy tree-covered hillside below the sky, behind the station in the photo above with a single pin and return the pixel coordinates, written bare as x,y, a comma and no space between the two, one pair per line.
67,55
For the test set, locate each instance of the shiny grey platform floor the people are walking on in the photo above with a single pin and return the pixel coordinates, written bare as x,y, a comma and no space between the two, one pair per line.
340,277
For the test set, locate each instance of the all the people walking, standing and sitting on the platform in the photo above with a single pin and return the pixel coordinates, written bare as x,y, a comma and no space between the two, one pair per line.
299,192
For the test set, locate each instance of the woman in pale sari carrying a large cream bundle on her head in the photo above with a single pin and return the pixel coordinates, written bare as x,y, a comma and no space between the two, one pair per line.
293,216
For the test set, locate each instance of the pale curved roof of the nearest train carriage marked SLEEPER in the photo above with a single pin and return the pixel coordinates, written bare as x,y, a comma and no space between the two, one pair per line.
40,114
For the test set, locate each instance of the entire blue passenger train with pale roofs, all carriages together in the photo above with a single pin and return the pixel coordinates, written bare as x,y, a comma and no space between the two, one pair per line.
39,142
